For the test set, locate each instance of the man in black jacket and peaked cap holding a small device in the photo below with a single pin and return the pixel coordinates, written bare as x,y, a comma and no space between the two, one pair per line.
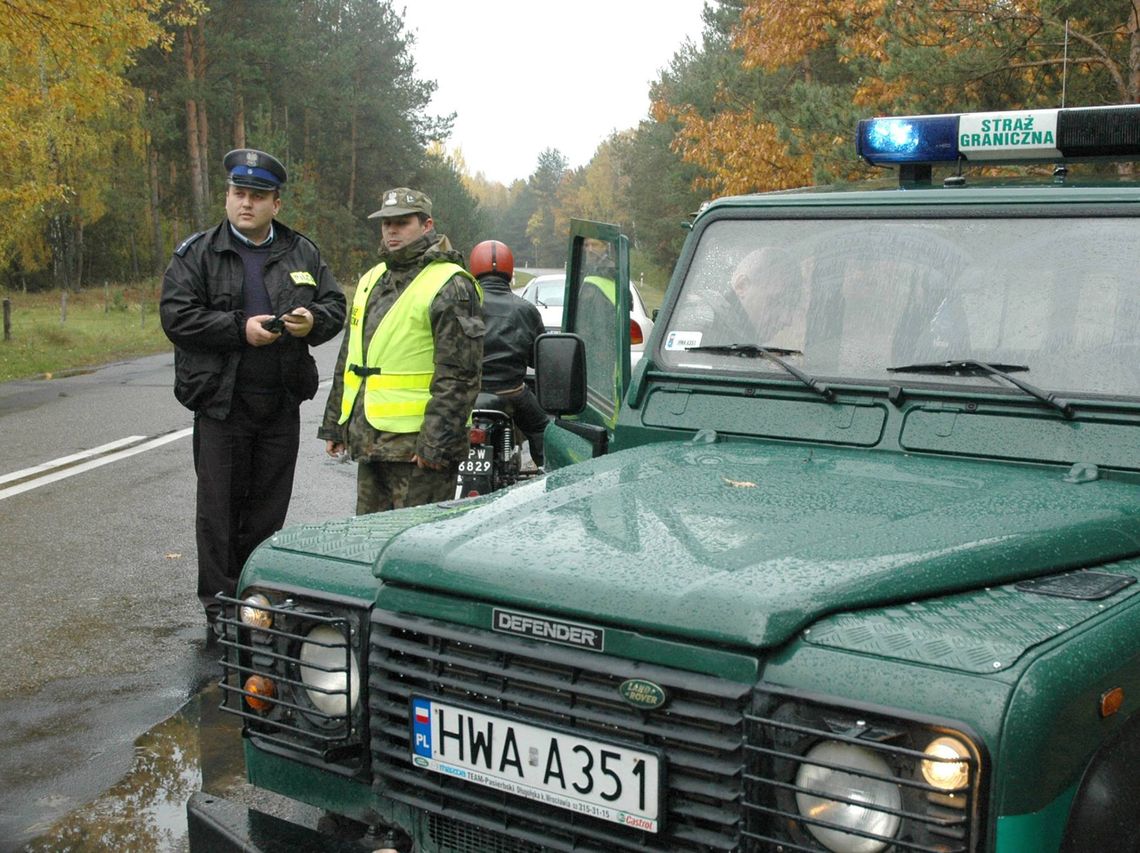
242,304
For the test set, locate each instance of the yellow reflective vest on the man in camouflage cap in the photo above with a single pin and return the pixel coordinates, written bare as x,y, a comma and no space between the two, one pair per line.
402,354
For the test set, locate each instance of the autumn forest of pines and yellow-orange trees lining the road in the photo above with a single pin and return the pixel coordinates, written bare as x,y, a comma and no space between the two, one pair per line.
116,115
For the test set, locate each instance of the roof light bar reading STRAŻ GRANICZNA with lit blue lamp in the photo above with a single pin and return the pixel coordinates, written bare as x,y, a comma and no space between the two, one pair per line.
1016,136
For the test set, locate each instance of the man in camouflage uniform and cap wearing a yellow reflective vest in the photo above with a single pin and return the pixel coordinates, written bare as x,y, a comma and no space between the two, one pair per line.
410,364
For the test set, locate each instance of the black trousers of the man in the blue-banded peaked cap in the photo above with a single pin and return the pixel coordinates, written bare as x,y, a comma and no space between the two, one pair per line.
245,466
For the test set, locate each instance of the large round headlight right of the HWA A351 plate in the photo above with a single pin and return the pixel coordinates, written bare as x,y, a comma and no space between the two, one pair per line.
852,786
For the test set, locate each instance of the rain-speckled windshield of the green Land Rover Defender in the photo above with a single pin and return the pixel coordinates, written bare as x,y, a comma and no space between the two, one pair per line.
1056,296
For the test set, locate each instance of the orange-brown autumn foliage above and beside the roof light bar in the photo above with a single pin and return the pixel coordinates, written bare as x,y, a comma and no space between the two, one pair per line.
740,151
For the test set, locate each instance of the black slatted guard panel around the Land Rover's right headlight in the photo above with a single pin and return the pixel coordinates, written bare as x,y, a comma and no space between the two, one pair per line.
915,816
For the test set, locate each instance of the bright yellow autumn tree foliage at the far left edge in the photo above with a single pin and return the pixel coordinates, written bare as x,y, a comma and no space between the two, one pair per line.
64,108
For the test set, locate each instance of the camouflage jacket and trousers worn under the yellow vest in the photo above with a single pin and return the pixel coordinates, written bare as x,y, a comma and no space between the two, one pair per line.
387,477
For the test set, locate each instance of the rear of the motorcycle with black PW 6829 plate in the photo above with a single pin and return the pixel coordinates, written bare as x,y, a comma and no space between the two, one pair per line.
495,456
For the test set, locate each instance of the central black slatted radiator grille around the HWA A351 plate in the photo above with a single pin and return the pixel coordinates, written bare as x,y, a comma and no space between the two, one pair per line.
701,734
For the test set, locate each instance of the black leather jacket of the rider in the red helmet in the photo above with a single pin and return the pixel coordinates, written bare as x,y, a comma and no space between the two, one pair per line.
512,327
